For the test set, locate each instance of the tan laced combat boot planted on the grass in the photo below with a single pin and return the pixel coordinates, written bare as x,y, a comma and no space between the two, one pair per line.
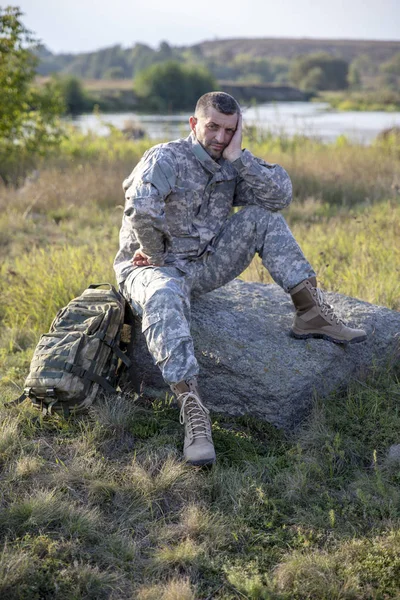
198,448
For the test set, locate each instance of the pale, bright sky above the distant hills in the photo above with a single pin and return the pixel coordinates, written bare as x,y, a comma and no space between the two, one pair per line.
84,25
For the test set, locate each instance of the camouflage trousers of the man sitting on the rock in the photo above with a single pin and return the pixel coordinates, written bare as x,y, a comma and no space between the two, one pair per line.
162,294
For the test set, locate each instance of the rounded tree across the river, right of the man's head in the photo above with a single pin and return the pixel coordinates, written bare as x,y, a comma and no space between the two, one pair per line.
334,71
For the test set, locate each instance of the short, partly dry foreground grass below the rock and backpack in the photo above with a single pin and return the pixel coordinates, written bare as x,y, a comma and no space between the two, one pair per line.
316,511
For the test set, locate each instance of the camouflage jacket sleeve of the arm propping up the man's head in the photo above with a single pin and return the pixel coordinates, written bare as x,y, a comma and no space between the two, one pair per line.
261,183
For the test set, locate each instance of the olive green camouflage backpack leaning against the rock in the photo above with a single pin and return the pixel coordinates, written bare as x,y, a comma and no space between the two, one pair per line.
82,353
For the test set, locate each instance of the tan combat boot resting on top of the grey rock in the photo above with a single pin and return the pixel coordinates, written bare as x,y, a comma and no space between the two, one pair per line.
316,318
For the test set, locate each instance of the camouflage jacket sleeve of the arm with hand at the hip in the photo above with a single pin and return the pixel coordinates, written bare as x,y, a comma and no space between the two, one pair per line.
145,191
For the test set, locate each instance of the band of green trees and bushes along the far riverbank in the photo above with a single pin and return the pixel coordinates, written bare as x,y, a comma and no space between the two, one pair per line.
166,81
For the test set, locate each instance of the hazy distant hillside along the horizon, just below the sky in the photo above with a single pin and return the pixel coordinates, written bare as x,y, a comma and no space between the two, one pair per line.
226,59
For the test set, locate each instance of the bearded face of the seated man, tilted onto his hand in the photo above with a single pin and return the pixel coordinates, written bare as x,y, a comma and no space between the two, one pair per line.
214,131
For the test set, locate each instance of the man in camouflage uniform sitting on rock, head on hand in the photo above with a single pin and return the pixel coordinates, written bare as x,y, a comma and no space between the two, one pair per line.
179,238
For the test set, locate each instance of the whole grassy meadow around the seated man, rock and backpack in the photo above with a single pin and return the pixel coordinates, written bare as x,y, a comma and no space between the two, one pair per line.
103,507
